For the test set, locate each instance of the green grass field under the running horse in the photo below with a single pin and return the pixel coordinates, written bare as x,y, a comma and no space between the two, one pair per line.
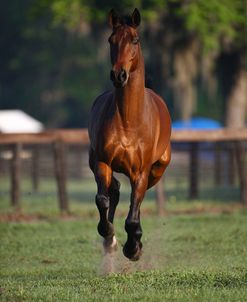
187,257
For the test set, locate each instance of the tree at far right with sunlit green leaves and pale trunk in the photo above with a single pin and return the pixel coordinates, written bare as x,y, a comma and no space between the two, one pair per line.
221,26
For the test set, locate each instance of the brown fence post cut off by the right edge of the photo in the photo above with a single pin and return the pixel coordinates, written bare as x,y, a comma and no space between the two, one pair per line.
240,157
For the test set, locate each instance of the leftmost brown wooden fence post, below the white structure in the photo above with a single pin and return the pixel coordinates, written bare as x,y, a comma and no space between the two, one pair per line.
16,175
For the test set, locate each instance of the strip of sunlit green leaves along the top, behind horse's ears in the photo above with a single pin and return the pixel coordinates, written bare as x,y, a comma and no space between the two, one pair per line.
213,21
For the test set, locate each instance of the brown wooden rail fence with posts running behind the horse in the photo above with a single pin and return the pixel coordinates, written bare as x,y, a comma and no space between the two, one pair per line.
60,138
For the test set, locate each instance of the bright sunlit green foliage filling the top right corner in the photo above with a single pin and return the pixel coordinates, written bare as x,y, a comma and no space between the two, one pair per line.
216,22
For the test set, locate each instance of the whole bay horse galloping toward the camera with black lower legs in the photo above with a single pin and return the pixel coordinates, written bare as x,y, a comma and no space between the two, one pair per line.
129,133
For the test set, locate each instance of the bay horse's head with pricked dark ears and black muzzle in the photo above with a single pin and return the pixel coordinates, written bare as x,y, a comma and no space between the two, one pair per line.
124,46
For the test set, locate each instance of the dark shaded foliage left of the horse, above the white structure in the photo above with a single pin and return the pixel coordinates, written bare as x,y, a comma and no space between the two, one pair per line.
44,73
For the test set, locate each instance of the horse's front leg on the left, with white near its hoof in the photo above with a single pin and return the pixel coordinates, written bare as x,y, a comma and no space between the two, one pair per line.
103,177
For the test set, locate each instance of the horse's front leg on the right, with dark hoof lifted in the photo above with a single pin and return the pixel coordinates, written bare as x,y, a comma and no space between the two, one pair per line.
133,246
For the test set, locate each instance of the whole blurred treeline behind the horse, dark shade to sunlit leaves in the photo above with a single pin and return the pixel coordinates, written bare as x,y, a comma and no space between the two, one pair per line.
54,57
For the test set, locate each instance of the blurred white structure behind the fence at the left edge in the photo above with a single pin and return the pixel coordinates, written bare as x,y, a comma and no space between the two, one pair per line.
17,121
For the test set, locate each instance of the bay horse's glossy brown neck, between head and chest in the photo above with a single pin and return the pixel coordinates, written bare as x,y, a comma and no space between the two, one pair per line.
130,99
